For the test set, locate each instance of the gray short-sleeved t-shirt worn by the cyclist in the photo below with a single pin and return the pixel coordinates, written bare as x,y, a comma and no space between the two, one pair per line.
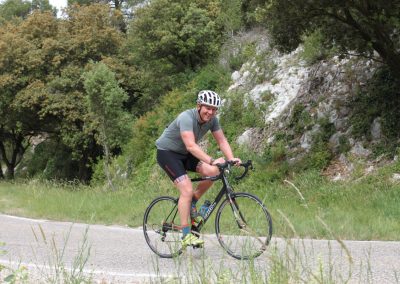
188,120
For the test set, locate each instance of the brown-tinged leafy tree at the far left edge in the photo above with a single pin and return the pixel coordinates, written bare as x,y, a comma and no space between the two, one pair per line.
23,66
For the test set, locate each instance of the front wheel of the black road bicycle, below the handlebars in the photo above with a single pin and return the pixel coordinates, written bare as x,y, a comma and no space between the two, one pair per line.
243,227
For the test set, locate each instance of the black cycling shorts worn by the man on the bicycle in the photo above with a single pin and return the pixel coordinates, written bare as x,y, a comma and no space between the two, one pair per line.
176,164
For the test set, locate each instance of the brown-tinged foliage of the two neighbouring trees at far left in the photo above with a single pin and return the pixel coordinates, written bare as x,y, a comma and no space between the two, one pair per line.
42,60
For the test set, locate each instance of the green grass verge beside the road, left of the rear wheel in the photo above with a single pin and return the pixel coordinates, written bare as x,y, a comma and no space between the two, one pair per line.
66,203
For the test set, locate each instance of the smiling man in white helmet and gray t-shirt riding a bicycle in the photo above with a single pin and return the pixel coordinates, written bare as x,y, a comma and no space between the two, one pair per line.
178,152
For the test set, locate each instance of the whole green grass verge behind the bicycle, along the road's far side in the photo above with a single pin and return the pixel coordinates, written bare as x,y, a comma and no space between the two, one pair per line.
365,208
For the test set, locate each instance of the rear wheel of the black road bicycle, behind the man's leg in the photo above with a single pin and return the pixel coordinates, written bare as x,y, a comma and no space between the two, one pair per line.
160,227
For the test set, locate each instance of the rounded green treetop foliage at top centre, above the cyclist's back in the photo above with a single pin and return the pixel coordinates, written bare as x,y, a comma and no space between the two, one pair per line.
170,39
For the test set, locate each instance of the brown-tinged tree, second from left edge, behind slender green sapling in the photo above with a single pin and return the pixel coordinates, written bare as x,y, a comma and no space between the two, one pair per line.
88,34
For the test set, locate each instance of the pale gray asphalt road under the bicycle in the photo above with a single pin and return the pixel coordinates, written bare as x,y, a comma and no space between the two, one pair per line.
113,254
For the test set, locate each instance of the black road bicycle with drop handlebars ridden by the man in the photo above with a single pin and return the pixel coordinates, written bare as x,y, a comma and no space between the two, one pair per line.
243,224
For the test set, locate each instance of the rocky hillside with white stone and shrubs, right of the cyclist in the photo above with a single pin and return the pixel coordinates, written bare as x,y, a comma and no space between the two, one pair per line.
327,111
